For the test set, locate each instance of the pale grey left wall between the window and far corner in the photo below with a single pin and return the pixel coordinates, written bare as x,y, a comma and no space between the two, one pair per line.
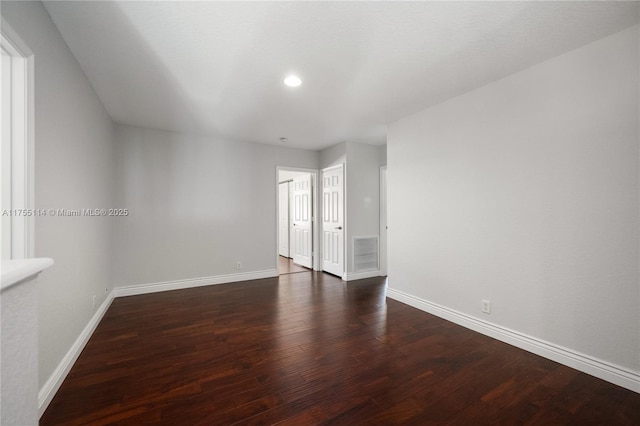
74,164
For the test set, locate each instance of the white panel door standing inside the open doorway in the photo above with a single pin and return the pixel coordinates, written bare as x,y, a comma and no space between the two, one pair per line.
302,221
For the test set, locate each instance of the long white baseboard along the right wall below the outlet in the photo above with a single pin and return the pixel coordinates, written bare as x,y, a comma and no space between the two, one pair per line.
595,367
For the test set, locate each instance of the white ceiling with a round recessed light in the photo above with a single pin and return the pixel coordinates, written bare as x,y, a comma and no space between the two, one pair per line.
216,68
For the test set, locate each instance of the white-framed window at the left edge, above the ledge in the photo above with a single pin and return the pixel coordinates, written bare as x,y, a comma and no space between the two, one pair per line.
17,146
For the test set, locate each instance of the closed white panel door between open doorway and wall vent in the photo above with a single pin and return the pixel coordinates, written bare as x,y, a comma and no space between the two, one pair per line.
333,220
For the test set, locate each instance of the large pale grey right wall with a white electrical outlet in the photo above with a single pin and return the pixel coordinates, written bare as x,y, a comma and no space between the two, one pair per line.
526,192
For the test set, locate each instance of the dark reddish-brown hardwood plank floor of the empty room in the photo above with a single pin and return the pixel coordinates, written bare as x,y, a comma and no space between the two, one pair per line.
306,349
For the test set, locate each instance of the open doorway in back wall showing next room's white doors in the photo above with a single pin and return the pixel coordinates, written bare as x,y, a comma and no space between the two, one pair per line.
296,220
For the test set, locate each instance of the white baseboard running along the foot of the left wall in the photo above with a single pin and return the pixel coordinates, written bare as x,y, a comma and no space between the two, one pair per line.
51,386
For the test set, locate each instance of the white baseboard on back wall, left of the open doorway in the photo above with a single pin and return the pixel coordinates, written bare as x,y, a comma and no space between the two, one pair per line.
133,290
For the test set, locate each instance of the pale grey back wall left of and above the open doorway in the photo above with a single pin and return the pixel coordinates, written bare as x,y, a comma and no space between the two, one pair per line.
198,205
